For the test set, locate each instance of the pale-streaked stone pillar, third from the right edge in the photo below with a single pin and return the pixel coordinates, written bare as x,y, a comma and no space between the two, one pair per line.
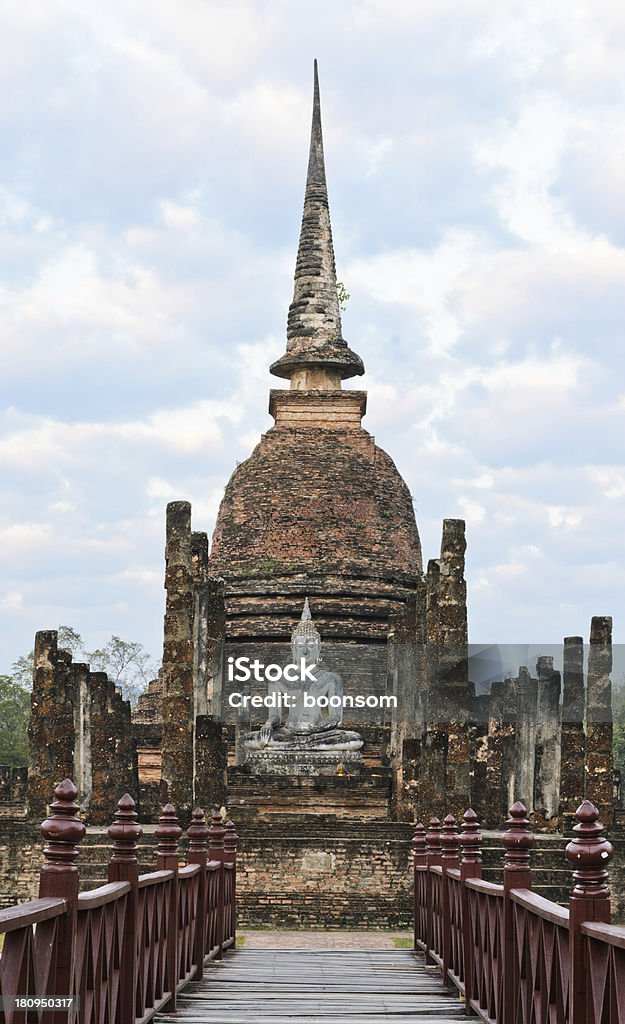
547,772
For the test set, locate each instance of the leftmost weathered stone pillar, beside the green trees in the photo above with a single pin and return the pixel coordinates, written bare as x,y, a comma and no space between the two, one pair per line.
51,724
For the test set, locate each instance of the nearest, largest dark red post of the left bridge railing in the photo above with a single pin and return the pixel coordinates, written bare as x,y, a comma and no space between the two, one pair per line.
59,878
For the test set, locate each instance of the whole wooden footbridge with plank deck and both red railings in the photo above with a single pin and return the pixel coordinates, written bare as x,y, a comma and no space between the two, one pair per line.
162,947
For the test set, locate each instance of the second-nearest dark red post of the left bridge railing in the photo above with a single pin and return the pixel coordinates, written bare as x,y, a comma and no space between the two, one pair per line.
123,867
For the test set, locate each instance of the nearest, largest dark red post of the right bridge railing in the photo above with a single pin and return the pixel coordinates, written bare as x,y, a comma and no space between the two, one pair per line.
589,855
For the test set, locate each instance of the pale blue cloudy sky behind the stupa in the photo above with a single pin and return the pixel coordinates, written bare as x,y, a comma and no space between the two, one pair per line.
152,170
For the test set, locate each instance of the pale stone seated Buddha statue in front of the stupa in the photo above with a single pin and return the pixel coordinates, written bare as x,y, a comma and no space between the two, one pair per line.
310,726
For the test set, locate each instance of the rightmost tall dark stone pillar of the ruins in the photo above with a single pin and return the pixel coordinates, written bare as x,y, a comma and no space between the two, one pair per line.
600,764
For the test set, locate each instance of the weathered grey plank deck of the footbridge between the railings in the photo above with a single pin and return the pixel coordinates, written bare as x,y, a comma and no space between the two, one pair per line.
330,987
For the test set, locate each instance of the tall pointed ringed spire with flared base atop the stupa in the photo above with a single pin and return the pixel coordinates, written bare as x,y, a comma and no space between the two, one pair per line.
317,357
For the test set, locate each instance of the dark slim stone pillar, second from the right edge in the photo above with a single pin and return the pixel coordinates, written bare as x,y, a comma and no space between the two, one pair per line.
573,739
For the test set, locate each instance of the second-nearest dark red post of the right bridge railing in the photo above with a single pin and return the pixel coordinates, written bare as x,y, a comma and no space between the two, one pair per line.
518,841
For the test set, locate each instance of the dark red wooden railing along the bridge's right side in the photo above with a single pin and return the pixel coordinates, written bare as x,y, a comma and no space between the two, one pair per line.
515,957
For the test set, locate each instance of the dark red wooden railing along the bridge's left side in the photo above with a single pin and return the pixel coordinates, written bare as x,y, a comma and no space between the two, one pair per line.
124,951
